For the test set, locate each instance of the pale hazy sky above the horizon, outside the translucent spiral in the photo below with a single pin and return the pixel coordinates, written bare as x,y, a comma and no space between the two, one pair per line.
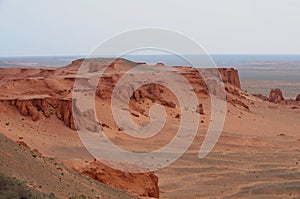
75,27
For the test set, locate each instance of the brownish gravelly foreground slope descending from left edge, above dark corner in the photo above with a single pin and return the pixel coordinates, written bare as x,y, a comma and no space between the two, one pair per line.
48,175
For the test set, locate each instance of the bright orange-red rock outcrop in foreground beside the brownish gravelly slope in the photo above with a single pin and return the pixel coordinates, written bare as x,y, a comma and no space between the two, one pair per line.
141,184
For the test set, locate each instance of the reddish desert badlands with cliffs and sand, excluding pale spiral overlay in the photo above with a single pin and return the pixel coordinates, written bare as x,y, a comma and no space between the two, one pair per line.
256,156
